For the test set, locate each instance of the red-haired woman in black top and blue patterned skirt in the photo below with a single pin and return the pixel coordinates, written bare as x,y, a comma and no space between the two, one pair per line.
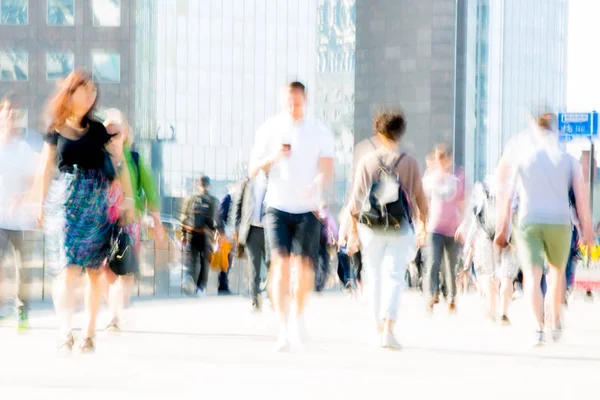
75,204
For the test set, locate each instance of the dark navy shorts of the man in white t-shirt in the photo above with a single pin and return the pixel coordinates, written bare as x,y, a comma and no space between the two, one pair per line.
296,234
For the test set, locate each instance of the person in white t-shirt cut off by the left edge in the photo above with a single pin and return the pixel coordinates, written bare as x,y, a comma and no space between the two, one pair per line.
17,170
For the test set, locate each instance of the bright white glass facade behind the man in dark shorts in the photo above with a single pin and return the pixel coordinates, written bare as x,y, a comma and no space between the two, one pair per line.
219,69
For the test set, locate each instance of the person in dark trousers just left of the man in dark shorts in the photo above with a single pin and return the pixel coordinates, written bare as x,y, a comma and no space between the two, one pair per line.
249,232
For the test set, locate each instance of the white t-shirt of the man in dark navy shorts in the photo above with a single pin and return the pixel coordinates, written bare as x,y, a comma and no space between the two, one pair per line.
291,180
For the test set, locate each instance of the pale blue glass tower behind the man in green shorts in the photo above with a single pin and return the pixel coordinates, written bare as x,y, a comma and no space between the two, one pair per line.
527,66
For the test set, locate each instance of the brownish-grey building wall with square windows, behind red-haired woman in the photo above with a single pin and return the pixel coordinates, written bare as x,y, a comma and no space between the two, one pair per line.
76,42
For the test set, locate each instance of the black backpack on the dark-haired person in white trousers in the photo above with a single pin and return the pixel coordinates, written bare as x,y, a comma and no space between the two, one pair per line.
381,214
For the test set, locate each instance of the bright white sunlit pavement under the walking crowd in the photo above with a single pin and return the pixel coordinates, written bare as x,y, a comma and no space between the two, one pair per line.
215,348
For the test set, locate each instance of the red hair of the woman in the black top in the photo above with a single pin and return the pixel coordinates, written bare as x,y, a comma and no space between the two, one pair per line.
58,107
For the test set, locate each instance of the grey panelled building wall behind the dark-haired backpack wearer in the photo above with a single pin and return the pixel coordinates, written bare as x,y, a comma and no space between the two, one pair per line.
406,56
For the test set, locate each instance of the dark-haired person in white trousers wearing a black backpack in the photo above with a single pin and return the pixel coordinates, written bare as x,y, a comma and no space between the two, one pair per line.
387,183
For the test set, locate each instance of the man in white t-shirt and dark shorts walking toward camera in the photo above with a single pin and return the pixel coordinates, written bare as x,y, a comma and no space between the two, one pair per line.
297,155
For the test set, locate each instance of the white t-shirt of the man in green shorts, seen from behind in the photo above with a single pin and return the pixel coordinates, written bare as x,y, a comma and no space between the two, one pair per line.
542,174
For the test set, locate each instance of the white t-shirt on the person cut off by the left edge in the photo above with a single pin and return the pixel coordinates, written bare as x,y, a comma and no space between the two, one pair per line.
18,162
